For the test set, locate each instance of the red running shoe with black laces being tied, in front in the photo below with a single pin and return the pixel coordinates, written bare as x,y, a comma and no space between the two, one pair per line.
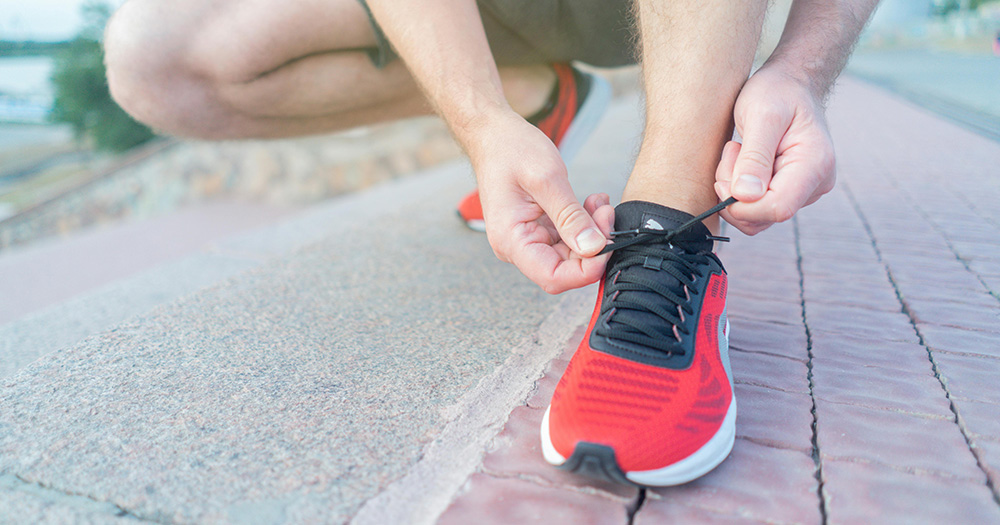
648,397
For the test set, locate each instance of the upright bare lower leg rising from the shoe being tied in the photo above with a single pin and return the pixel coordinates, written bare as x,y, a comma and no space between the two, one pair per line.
696,56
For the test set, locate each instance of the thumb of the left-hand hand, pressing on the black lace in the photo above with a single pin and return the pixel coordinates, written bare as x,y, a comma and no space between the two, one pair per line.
575,226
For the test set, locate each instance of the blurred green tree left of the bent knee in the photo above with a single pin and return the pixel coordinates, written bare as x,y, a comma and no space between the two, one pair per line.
82,98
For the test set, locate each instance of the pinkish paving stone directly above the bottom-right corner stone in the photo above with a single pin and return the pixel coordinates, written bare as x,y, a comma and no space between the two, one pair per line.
891,438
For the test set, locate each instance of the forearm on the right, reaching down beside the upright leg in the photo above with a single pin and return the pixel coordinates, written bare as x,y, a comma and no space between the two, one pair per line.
818,38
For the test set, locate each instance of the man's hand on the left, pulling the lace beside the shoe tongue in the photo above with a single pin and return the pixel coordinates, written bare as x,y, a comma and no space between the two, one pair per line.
533,219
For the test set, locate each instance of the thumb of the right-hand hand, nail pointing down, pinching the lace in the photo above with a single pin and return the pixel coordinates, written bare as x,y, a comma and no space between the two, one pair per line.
755,163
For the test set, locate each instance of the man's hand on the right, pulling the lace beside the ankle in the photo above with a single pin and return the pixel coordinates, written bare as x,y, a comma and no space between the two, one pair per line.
786,160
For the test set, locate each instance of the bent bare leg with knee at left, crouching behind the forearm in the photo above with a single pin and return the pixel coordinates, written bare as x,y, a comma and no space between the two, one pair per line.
234,69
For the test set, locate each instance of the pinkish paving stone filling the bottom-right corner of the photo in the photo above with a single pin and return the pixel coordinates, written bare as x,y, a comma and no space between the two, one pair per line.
867,493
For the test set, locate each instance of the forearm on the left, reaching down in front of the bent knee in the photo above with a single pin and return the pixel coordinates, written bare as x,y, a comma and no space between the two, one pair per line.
444,46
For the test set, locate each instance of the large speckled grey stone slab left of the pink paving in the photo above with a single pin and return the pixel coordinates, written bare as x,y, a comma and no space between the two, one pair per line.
295,371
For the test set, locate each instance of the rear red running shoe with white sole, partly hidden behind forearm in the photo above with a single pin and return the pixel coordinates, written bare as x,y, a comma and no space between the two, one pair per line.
576,105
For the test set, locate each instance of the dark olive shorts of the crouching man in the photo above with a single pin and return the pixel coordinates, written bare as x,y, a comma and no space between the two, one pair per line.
597,32
